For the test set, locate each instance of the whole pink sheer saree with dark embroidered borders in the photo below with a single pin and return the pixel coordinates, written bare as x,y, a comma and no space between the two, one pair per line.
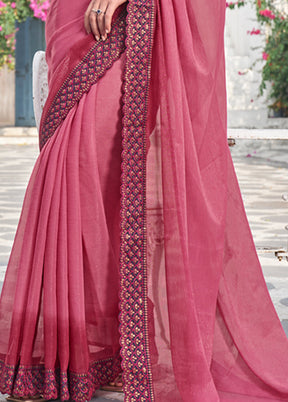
133,251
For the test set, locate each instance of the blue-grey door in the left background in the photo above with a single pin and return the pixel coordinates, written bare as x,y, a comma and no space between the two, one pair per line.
29,38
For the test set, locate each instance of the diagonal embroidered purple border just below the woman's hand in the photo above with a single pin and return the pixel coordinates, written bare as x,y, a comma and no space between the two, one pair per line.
91,68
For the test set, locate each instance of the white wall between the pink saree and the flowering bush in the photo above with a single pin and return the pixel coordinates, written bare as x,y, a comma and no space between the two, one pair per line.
246,108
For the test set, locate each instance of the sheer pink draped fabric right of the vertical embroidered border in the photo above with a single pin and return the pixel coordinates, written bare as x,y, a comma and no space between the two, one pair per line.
219,337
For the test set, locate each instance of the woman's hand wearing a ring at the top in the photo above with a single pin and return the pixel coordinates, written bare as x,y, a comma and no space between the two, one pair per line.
100,23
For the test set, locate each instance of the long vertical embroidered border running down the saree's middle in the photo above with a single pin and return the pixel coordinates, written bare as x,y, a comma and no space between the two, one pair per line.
133,271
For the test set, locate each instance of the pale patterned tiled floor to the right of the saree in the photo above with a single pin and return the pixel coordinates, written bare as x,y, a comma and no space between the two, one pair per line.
262,170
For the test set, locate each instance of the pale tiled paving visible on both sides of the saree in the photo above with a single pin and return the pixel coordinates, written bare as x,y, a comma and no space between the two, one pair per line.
262,169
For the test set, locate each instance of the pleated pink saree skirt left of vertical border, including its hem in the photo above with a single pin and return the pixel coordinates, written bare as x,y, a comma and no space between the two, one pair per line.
65,306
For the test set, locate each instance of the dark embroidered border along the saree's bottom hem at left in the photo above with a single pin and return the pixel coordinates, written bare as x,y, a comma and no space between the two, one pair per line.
53,384
